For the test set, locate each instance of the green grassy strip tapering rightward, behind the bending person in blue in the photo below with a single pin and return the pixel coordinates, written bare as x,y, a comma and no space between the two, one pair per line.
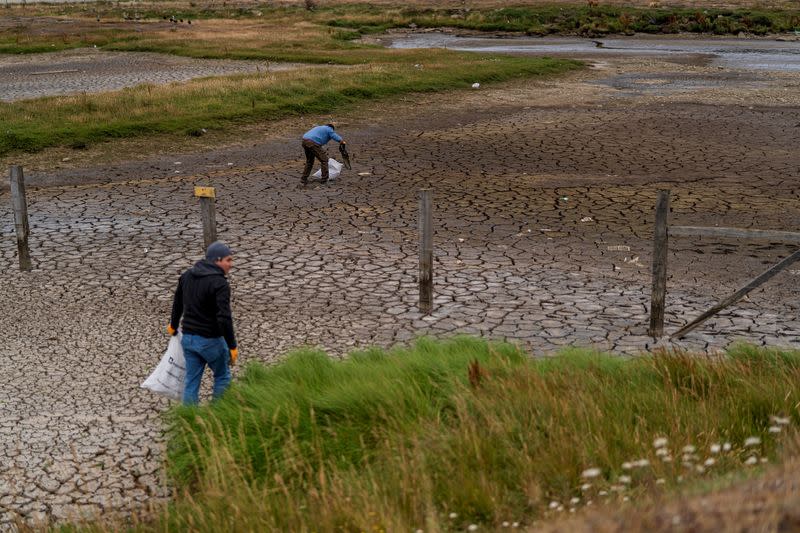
217,102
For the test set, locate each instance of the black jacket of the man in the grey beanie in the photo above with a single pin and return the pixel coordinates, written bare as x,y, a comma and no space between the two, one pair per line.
203,297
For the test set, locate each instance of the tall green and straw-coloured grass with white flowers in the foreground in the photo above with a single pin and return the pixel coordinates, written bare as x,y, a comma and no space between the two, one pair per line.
448,434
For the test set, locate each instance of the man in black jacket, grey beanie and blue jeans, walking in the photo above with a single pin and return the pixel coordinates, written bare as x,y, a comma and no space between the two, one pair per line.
203,298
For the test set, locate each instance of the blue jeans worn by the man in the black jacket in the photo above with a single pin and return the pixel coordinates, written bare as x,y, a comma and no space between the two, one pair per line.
199,352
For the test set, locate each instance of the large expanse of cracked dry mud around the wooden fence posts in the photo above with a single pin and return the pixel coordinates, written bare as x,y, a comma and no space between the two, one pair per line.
544,194
